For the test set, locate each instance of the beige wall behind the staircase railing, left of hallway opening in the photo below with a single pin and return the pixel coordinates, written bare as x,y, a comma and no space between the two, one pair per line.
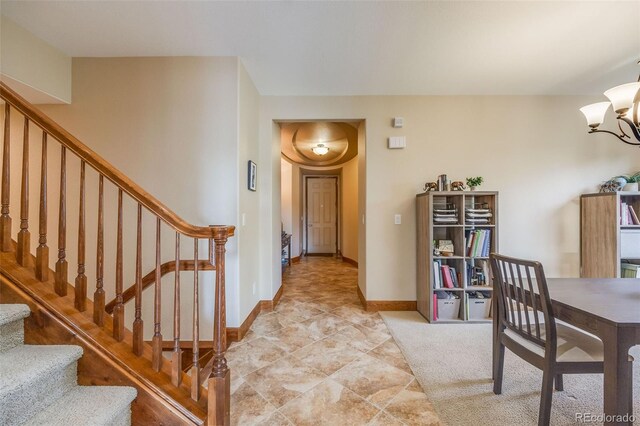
182,128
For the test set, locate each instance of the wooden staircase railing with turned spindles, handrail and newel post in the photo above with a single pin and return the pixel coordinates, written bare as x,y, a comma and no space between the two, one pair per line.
216,371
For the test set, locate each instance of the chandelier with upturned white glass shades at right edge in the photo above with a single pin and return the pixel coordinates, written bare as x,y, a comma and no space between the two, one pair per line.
625,100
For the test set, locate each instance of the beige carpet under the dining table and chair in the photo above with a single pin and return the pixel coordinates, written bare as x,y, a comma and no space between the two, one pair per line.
453,365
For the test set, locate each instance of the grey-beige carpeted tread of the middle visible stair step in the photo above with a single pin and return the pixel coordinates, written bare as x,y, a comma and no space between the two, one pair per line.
29,363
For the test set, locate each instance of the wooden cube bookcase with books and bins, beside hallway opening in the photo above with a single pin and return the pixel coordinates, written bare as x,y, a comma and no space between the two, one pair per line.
458,218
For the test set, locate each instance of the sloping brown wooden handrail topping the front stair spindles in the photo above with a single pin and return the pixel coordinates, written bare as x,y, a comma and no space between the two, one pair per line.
109,171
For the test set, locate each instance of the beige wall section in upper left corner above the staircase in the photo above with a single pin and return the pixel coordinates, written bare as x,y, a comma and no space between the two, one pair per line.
36,69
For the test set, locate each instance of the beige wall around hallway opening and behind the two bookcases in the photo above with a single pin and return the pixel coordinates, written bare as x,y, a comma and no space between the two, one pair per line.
534,150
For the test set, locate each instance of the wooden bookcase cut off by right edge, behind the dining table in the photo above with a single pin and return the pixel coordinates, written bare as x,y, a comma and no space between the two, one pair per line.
604,240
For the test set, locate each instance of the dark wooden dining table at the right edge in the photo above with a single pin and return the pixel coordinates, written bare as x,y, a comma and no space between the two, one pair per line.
610,309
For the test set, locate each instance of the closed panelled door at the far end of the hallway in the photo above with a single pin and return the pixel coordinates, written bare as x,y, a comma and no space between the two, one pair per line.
321,215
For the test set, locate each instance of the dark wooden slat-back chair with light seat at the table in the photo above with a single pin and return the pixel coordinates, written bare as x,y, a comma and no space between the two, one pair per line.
527,327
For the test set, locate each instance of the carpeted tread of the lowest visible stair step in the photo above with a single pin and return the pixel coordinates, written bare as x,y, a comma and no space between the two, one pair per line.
87,405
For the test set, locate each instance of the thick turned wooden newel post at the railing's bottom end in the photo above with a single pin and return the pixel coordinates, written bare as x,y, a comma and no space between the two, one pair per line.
219,380
